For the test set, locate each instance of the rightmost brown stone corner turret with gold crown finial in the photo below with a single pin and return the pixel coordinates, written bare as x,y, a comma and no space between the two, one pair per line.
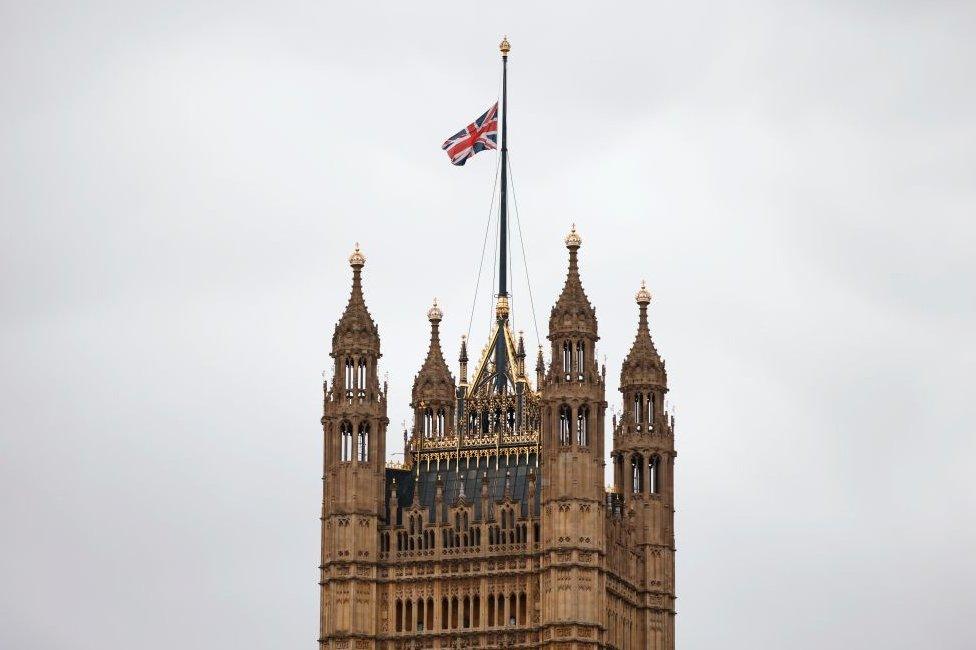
643,457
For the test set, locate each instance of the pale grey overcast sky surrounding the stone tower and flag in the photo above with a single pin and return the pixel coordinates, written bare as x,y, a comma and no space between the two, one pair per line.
181,185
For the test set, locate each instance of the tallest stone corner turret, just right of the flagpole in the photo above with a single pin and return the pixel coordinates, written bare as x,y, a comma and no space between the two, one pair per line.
572,465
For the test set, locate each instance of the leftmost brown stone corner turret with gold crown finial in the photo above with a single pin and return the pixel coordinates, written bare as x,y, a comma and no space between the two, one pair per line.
354,425
